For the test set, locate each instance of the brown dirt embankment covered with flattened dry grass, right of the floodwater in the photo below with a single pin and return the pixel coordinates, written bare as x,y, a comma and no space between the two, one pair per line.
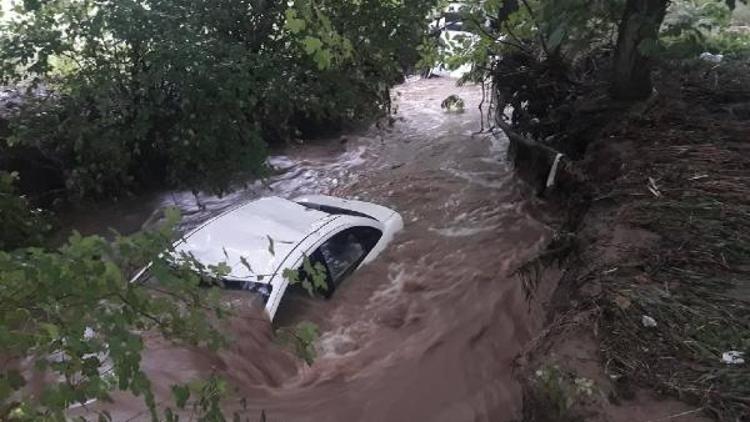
652,314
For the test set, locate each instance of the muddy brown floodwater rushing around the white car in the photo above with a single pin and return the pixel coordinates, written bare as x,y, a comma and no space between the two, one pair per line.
430,330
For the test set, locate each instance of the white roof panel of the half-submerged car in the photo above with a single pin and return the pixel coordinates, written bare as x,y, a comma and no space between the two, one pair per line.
262,232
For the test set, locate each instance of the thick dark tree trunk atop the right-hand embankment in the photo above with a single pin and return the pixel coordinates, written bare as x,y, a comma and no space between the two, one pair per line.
632,69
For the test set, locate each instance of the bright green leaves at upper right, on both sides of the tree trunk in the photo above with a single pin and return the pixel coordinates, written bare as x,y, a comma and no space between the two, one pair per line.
568,31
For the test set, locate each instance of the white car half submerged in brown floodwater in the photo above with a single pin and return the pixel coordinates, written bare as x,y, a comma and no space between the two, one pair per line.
262,238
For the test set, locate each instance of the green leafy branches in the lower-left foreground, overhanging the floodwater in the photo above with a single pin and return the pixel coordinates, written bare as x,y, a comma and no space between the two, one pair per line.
72,321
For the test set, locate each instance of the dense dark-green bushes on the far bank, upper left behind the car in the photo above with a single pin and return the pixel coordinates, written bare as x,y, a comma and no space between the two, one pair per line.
137,93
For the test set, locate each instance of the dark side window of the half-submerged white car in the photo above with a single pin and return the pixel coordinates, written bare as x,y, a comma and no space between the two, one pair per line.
346,249
